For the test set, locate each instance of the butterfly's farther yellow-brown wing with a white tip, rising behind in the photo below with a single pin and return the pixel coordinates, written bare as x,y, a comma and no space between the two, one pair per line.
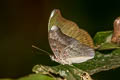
69,28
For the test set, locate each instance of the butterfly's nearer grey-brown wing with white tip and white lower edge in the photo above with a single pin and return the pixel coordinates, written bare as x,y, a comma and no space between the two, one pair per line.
68,50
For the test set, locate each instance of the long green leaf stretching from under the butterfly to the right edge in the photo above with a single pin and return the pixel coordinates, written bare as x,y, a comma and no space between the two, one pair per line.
102,61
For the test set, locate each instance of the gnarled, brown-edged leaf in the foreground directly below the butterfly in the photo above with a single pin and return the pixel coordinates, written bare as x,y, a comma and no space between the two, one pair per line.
62,72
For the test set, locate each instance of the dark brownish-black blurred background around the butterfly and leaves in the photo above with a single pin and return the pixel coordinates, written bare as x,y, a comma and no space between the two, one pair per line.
24,22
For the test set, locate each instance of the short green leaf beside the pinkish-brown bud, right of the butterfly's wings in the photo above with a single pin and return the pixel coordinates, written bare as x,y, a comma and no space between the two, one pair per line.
102,41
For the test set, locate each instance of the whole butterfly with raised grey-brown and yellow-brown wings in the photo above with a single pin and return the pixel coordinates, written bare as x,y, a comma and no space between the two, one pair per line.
66,46
